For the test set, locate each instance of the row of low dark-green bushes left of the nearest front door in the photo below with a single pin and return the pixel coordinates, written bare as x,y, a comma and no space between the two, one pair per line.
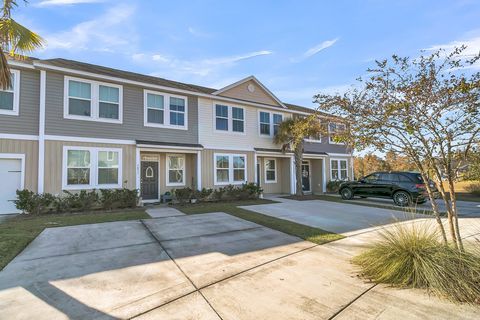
33,203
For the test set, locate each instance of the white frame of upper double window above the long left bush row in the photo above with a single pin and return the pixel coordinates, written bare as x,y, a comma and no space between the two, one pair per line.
94,100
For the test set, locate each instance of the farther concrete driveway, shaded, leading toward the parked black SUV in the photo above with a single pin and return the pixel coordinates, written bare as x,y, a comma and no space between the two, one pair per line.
332,216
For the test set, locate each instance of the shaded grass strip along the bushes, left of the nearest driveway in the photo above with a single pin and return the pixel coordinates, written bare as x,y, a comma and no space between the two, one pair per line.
17,232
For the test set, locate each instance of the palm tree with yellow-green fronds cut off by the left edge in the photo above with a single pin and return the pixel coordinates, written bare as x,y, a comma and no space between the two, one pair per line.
15,40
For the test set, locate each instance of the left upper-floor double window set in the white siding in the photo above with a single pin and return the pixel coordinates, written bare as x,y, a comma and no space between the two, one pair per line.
230,119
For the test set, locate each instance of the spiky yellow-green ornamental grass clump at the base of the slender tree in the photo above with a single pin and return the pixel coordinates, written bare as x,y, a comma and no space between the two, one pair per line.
413,256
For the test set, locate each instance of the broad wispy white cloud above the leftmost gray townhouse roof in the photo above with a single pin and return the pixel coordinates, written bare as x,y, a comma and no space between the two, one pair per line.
111,31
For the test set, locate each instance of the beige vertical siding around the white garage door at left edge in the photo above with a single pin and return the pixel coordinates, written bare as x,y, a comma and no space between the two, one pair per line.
30,149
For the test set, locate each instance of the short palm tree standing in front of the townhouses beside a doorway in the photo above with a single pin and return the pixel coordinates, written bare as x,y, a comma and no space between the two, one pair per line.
291,134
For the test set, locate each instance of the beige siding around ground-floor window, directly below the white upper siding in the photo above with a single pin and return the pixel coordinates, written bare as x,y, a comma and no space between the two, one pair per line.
208,166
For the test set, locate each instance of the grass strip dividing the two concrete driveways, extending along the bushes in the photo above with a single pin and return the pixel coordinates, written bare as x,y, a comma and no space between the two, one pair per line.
311,234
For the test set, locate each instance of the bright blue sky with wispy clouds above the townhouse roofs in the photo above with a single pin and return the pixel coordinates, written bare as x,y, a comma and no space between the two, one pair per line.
295,48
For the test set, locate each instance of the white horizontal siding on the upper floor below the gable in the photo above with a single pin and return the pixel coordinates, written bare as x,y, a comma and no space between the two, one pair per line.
212,139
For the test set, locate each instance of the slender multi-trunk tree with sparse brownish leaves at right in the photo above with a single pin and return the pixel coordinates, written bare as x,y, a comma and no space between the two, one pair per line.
426,108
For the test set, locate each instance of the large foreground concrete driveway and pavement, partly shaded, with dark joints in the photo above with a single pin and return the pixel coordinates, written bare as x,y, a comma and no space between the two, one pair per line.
209,266
